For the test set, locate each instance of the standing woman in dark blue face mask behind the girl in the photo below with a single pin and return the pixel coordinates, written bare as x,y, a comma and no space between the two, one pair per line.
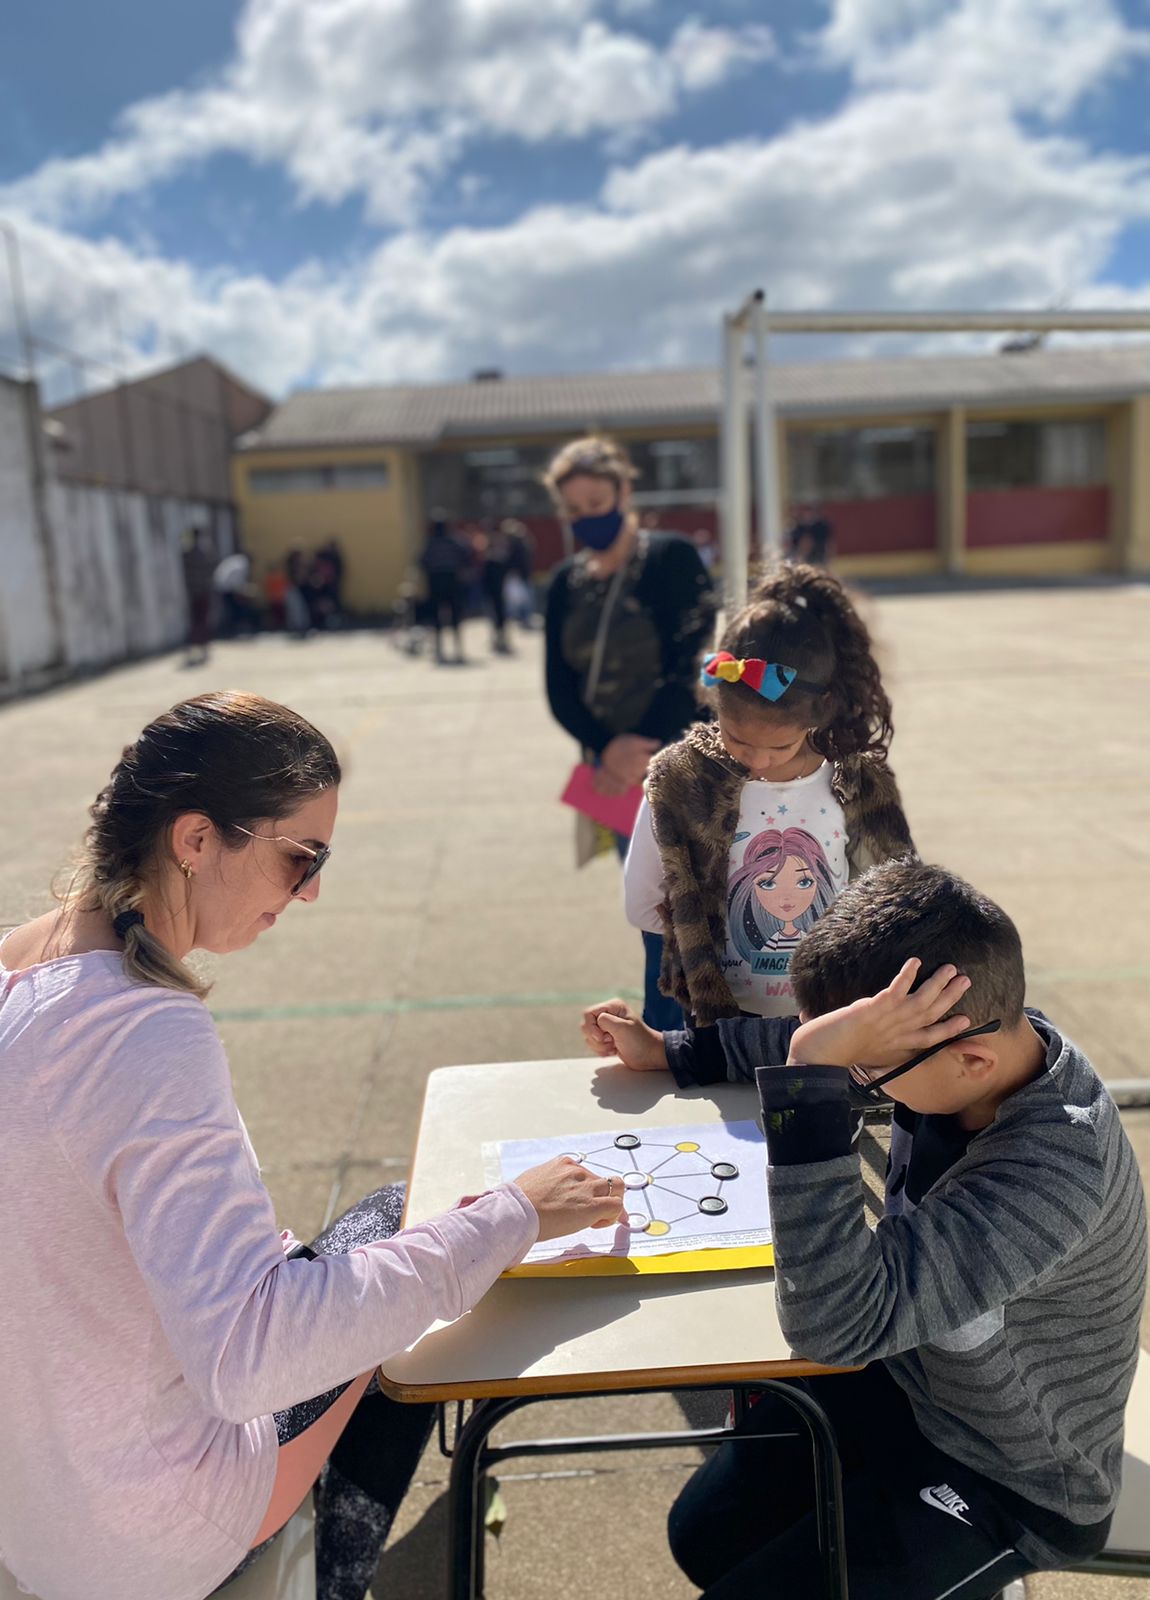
628,622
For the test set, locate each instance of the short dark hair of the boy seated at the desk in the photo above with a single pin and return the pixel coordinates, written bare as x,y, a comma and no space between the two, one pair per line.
901,910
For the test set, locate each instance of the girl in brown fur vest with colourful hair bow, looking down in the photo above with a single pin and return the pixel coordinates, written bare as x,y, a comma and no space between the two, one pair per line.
754,823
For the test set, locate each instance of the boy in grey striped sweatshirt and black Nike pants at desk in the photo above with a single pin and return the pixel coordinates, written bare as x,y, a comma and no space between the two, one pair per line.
996,1308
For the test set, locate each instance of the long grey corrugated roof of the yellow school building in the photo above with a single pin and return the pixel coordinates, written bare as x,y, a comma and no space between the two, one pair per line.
433,414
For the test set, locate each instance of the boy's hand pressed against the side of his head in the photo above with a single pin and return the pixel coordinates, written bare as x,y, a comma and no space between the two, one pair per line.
887,1028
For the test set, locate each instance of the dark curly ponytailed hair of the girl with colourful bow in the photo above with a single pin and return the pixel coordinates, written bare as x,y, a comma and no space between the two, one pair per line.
804,618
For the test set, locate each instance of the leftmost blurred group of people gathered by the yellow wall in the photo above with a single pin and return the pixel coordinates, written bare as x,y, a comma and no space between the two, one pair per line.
300,596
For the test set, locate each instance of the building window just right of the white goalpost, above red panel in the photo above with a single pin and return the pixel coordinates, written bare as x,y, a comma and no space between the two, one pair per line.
860,463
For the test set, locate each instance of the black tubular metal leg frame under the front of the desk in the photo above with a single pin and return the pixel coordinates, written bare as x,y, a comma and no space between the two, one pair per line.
471,1458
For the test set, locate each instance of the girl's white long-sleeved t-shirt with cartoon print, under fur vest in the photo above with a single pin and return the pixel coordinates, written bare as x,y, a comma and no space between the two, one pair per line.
788,866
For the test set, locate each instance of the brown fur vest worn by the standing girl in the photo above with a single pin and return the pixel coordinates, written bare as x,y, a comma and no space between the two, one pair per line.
695,790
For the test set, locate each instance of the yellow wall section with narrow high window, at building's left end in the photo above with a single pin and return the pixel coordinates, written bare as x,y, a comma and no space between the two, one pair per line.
375,527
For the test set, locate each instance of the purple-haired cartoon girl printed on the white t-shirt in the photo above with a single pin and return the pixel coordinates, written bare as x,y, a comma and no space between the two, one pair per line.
781,890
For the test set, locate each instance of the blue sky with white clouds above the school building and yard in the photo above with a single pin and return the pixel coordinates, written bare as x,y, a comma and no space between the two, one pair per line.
372,191
